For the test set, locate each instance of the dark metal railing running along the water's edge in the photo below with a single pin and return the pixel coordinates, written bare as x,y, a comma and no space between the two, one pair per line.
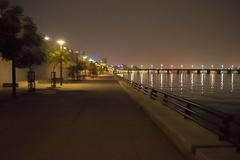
223,124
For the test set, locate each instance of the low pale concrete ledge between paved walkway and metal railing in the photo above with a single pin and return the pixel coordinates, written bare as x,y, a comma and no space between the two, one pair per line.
194,141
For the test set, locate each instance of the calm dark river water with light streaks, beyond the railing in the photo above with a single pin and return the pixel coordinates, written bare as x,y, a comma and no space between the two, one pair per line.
219,91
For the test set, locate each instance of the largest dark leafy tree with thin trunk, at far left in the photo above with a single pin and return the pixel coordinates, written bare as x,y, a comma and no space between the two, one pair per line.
18,39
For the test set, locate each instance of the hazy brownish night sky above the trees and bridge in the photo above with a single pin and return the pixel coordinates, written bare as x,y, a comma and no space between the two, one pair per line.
144,32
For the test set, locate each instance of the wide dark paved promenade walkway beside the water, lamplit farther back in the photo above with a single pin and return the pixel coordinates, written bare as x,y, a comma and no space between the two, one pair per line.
91,120
